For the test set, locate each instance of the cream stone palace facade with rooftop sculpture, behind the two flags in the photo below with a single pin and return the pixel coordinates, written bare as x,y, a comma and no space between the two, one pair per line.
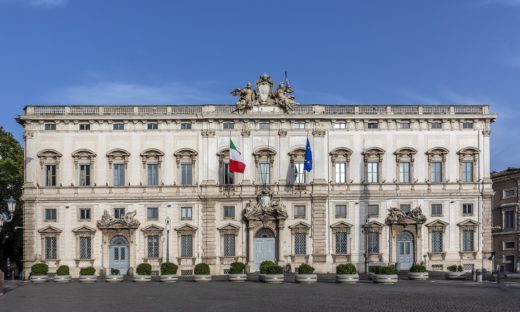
115,186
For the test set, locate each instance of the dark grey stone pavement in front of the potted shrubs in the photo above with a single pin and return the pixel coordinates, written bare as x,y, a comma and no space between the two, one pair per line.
436,295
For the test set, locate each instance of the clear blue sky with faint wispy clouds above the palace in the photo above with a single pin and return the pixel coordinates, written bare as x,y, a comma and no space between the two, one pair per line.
184,52
